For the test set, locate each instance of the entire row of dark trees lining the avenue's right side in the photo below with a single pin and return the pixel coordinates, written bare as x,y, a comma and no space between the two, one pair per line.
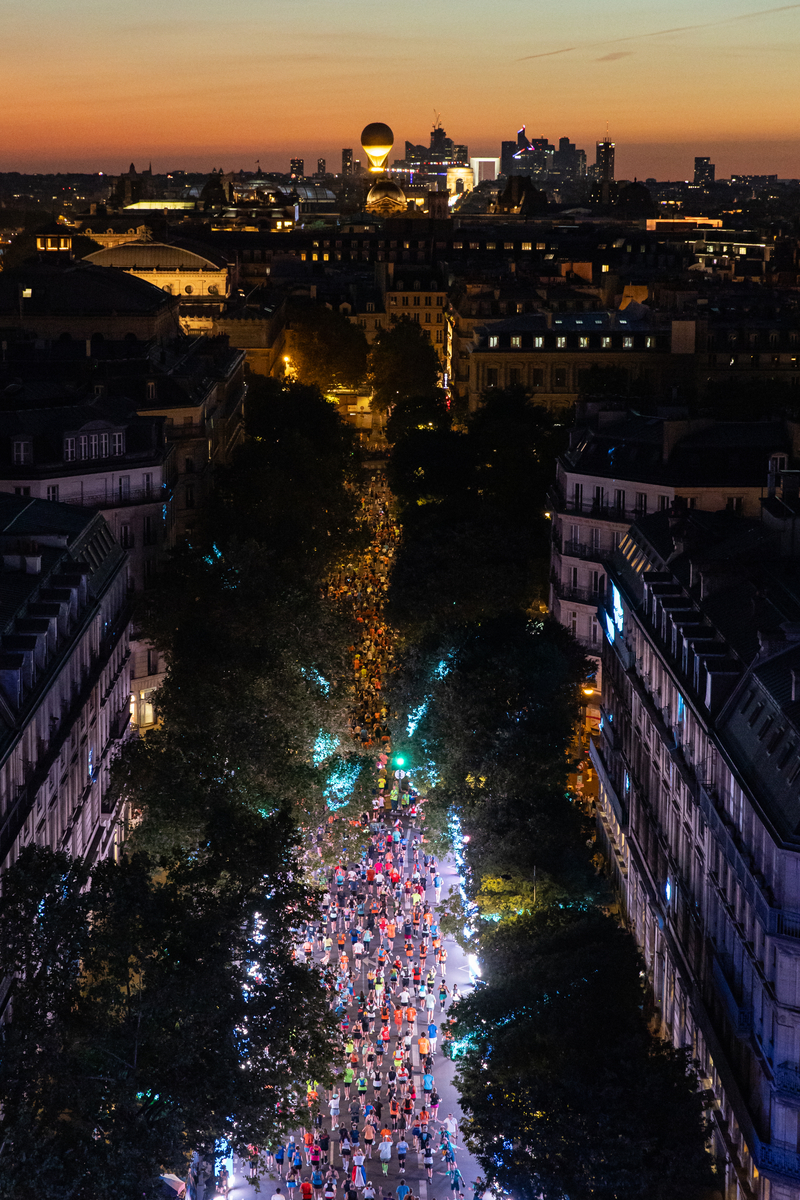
567,1091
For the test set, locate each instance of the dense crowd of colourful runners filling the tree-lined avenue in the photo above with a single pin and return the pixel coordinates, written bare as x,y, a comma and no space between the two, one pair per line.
378,1135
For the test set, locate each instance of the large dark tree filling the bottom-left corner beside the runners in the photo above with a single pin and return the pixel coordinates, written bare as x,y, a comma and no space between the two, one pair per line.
155,1013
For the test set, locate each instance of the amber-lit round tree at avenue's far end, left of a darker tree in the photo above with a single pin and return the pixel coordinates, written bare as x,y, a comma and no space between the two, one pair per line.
328,351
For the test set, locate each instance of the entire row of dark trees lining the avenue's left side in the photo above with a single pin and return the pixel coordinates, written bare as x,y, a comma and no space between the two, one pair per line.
158,1010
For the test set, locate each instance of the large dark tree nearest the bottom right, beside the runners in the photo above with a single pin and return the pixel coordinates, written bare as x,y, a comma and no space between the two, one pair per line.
564,1089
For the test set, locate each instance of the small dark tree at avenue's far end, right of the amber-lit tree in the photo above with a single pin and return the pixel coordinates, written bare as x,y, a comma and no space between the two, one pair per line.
404,363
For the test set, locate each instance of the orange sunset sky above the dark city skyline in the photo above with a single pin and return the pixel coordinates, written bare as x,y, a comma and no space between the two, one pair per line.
98,83
